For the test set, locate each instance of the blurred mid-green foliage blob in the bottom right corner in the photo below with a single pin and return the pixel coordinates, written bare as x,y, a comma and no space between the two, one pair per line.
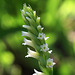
67,67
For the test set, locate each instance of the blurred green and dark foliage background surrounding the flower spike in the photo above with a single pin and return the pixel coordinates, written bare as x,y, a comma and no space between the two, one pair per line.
58,19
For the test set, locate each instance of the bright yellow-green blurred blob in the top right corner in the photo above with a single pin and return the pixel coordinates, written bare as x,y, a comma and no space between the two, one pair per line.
67,9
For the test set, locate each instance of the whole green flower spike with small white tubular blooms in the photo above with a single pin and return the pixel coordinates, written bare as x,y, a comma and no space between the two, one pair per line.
37,41
